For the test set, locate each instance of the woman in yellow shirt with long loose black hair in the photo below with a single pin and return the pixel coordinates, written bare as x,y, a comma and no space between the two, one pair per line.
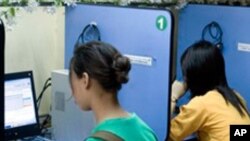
214,106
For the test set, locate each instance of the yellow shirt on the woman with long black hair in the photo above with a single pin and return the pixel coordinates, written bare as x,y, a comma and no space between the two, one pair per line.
209,116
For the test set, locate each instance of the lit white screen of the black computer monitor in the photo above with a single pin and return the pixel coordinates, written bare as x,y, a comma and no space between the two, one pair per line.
19,109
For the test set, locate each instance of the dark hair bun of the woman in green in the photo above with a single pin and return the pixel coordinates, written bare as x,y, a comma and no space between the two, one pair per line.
121,65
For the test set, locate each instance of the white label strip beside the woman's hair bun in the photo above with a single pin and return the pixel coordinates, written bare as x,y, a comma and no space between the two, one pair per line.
141,60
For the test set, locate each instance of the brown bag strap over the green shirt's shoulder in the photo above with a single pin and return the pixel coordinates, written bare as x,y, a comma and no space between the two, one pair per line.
106,136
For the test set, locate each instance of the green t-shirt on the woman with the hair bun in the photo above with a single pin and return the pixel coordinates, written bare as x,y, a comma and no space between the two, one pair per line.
130,128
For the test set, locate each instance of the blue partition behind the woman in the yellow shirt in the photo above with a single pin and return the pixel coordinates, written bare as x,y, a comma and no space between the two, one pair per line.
234,22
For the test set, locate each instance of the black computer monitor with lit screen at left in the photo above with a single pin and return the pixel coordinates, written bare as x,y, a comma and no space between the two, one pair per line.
20,109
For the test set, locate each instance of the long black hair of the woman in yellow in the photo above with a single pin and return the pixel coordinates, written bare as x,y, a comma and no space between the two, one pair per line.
203,68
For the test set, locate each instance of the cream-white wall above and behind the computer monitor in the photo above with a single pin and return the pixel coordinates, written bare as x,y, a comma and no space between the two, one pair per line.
36,43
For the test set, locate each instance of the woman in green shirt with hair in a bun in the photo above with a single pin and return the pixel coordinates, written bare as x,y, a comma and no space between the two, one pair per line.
97,72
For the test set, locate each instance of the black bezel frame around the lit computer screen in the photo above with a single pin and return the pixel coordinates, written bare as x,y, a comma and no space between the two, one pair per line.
26,130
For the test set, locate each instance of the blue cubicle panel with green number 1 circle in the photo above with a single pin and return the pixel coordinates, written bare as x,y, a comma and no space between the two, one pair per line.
144,35
